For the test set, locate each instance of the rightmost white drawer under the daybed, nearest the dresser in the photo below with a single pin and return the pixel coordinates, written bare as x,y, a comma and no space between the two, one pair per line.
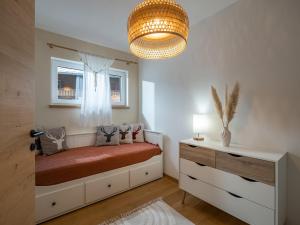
143,174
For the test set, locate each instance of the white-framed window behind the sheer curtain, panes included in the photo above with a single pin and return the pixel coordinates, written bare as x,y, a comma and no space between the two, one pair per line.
67,83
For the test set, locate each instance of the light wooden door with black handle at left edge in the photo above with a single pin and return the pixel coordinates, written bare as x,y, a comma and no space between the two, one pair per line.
16,112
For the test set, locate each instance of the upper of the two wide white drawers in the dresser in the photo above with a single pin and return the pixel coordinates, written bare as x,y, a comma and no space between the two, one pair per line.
258,192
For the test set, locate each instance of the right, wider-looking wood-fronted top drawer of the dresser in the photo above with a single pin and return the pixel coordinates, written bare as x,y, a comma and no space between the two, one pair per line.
256,169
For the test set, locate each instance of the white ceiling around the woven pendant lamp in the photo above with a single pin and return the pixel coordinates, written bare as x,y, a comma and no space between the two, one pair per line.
104,22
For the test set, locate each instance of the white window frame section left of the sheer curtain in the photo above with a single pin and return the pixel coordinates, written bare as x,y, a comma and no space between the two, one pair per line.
55,63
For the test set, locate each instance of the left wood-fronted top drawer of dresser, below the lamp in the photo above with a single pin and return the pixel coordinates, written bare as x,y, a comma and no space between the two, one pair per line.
198,154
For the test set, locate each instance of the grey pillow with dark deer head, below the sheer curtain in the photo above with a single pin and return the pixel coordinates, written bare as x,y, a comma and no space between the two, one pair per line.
107,135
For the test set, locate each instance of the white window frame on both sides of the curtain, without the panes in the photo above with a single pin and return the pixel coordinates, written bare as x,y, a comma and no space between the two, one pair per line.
113,72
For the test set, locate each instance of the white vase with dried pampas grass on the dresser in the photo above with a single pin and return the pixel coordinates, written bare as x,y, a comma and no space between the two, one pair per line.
230,107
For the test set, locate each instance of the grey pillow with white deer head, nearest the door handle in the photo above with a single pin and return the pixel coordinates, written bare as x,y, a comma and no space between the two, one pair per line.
54,141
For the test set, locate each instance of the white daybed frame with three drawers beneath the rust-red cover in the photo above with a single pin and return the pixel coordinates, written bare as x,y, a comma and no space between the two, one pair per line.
56,200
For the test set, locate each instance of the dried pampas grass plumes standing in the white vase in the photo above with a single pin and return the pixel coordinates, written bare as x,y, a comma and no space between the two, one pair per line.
231,103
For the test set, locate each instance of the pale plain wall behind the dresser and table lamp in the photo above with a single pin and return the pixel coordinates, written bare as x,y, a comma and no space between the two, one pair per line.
255,42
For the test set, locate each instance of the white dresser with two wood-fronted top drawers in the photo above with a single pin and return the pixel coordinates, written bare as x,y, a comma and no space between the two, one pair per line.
247,183
